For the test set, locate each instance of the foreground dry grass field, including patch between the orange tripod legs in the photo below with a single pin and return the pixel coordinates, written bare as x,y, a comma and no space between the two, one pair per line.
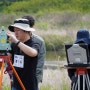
52,80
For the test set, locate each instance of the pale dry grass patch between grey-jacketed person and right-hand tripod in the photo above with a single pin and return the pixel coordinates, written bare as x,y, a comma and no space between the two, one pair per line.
57,79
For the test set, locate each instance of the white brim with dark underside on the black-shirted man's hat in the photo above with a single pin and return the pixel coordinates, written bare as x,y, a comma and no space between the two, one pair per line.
24,27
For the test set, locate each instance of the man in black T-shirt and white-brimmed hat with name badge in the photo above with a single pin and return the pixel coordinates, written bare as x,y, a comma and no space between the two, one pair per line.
24,54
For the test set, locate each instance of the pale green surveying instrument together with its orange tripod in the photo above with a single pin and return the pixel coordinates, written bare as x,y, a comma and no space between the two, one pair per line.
4,48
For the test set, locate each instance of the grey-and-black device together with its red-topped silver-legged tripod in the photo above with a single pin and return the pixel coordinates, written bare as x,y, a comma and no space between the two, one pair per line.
78,59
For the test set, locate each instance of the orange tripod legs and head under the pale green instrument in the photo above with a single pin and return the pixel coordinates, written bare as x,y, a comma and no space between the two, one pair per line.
2,58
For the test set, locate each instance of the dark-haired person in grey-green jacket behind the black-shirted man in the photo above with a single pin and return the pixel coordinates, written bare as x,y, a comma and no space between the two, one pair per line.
42,52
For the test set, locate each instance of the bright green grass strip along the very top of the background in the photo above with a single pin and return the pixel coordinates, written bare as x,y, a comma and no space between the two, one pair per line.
36,6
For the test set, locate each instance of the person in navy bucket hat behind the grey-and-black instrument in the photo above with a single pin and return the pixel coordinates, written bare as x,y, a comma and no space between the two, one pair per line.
81,38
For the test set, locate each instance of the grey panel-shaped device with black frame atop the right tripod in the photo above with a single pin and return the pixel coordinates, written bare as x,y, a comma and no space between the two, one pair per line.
78,55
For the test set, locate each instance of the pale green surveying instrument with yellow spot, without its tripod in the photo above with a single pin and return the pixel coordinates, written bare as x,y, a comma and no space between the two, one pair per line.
4,44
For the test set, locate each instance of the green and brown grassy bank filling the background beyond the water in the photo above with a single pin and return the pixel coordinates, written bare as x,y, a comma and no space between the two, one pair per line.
52,19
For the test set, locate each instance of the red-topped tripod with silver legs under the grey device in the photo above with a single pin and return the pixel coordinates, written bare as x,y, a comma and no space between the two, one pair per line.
86,82
